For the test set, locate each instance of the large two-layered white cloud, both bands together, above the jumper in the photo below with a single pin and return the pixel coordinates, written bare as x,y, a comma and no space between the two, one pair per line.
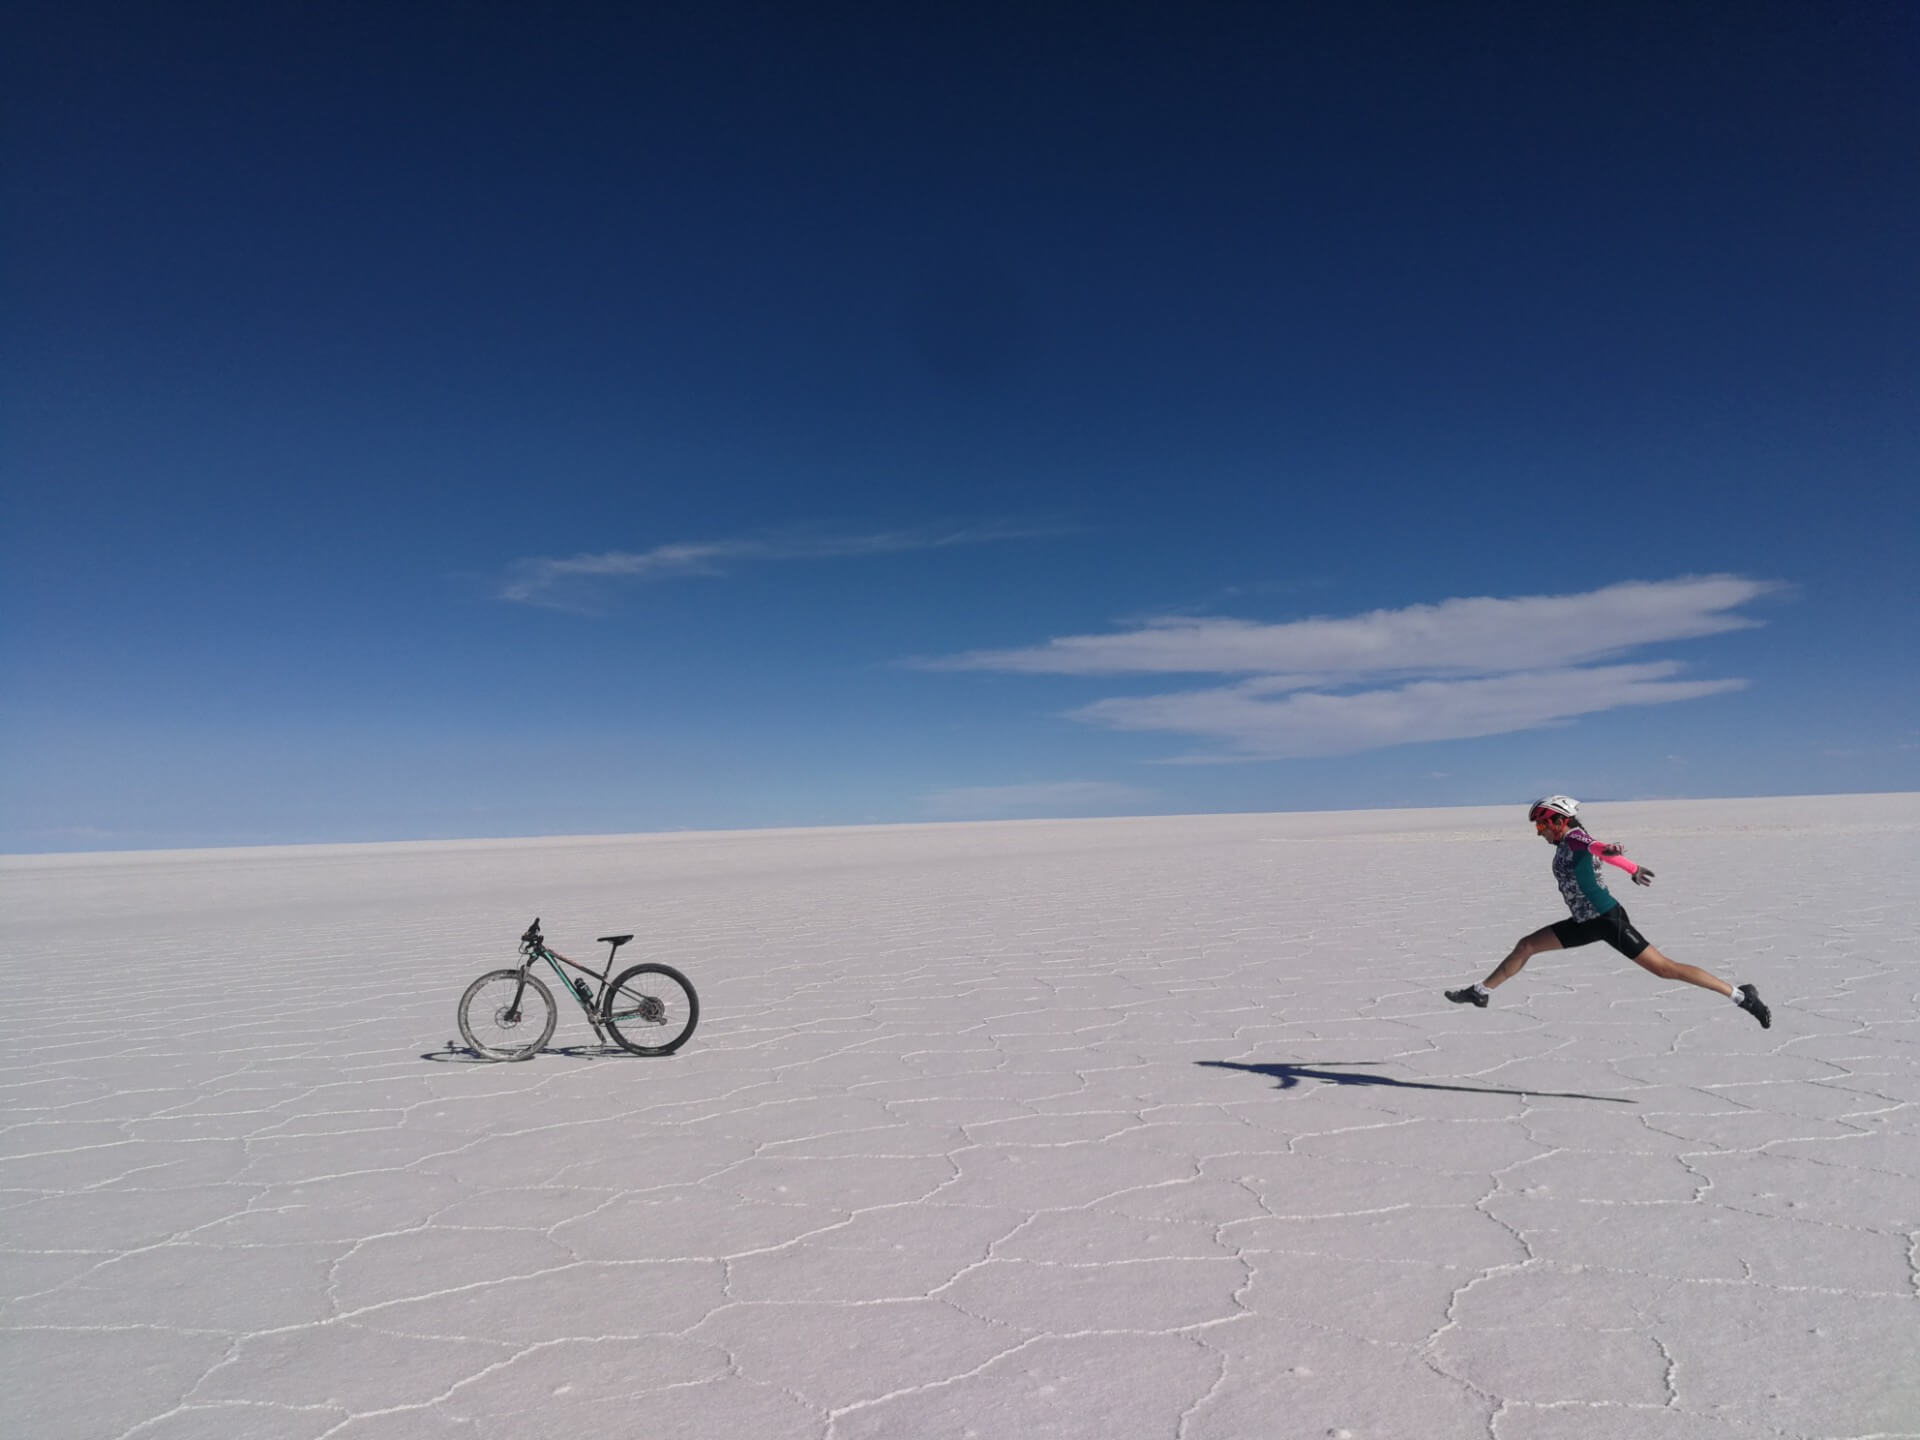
1451,671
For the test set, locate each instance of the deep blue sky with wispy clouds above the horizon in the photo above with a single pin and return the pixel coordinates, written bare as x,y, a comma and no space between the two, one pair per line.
435,423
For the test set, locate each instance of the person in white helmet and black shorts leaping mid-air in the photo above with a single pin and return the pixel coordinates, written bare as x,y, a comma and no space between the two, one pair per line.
1596,915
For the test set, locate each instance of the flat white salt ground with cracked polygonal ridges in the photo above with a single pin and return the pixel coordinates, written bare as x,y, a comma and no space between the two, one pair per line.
1132,1128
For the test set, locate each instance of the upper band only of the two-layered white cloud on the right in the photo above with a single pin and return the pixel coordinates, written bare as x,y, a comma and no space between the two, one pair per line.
1458,636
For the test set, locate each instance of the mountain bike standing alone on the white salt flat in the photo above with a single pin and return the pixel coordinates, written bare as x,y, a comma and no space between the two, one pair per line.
510,1015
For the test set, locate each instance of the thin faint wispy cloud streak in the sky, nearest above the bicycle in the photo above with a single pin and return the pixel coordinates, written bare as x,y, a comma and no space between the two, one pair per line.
560,583
